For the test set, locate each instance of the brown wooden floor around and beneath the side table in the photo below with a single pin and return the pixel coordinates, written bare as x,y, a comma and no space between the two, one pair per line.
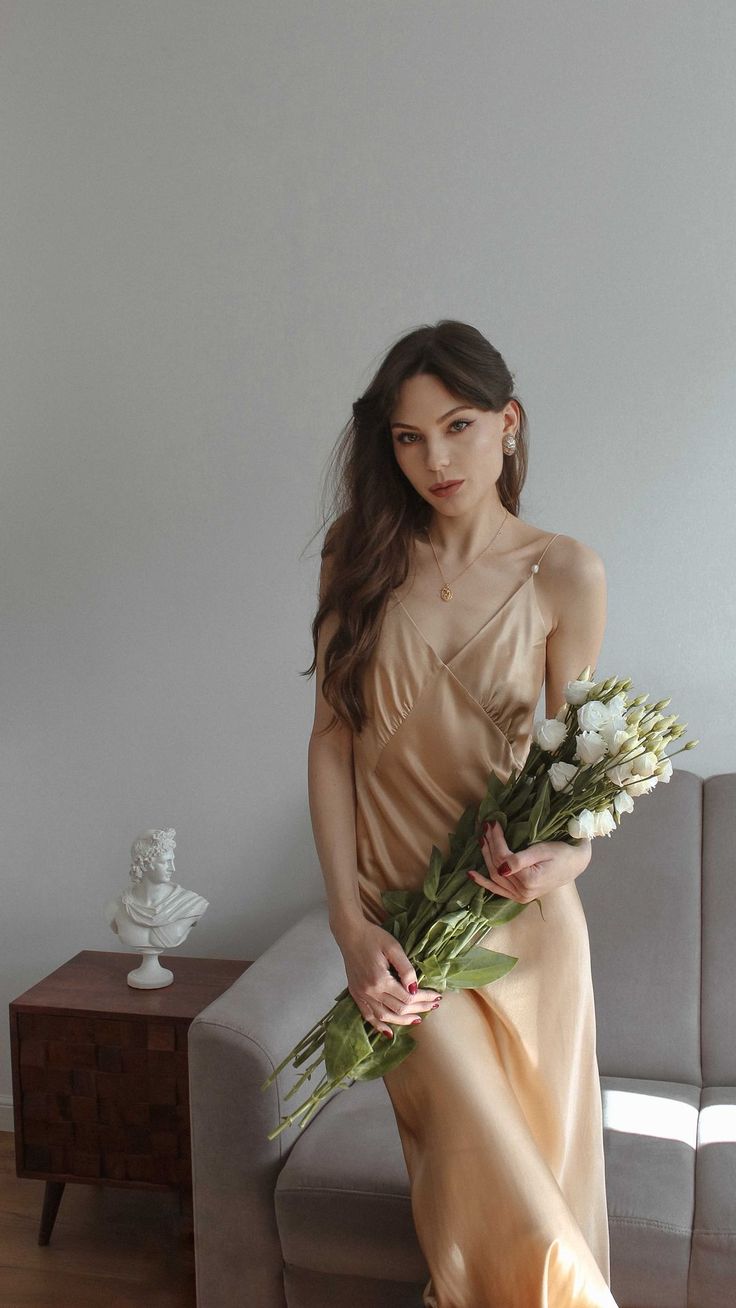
110,1247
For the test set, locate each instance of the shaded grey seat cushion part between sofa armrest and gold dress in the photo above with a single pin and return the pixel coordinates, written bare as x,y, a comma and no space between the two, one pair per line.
343,1200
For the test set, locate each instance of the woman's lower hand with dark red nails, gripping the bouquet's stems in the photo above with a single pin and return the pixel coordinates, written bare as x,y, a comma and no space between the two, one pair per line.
368,950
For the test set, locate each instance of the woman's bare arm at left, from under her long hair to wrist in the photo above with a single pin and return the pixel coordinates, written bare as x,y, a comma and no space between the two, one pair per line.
333,801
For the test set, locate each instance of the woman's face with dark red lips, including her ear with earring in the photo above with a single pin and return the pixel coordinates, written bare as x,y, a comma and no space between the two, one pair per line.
432,444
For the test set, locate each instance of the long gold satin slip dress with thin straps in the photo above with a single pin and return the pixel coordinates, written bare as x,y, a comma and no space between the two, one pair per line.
499,1106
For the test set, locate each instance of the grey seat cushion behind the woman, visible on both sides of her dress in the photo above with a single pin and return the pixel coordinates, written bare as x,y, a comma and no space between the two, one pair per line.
343,1201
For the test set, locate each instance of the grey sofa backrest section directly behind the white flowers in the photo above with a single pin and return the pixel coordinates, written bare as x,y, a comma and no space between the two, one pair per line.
643,895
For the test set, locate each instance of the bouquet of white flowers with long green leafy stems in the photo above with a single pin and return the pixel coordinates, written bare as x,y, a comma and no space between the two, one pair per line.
584,771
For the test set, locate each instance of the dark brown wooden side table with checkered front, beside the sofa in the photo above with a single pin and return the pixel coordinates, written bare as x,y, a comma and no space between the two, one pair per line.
101,1090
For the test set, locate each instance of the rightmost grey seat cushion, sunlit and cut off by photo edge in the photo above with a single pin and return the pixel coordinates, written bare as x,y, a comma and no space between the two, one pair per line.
713,1265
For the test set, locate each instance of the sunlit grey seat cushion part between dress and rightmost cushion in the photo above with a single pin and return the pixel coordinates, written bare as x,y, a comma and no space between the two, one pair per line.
650,1135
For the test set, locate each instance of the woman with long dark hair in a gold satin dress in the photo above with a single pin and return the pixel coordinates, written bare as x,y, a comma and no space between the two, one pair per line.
441,617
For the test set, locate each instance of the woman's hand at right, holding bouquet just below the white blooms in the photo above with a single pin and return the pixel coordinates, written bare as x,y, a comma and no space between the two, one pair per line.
535,870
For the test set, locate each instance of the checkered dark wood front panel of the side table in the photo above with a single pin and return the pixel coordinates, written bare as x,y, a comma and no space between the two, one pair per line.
105,1098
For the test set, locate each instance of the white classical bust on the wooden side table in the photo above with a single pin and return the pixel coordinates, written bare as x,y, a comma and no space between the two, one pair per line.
154,914
